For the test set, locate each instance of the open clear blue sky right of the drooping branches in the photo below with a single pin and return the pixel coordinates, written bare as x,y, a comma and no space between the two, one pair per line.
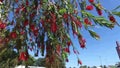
101,51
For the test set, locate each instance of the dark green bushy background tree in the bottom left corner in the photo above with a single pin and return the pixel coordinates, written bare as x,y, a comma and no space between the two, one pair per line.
8,58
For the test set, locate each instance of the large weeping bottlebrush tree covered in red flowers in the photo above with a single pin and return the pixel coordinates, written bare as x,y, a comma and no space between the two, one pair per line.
46,25
